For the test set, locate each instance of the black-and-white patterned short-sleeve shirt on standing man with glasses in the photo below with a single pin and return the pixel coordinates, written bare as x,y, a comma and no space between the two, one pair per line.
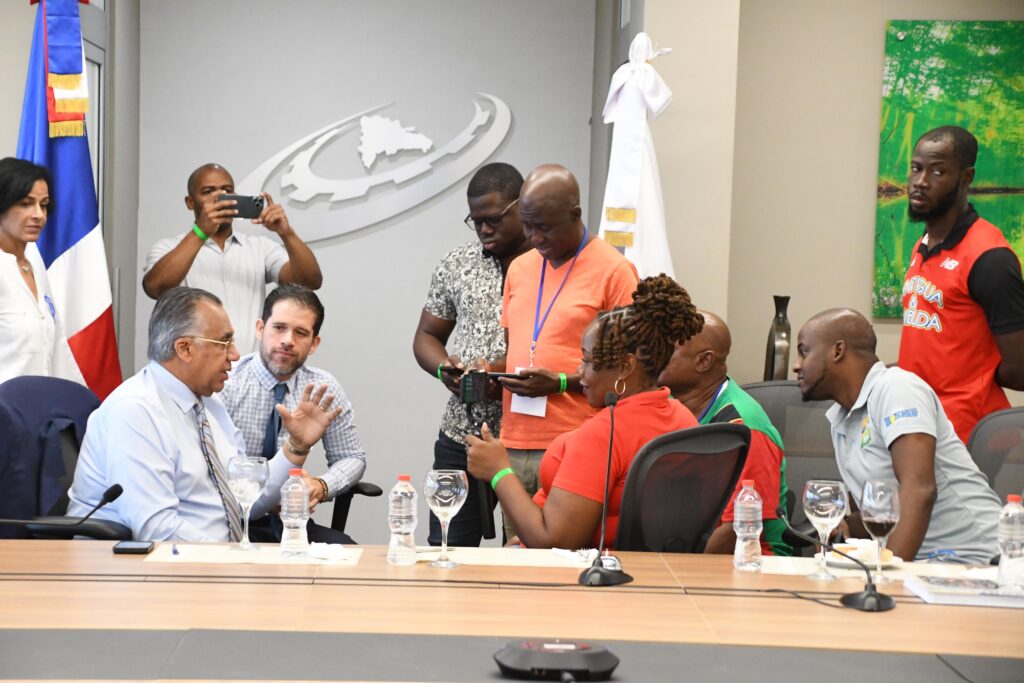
466,287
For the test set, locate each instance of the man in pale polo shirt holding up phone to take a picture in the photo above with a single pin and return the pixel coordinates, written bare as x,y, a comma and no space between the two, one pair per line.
236,268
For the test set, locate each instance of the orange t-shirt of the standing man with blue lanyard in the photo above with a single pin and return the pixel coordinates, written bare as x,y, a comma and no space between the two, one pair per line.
602,279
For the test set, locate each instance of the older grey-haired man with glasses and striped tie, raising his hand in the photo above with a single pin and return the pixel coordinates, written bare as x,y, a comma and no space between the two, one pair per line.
167,440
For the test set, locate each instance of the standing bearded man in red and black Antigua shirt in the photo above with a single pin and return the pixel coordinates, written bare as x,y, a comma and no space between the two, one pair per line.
963,296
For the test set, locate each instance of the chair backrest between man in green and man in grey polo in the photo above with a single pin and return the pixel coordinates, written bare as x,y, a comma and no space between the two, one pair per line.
806,438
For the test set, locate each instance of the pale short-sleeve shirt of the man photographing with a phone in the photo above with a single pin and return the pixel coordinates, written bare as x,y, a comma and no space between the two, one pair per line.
238,276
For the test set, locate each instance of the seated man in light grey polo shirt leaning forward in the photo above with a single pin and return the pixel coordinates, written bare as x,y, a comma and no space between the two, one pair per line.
888,424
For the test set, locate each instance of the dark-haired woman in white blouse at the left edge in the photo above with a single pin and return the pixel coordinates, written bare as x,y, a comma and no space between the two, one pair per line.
32,337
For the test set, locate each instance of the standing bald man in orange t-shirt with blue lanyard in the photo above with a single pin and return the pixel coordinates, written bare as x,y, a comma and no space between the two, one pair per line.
551,295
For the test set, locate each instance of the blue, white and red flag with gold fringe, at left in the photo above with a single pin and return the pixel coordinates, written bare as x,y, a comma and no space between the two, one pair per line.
53,135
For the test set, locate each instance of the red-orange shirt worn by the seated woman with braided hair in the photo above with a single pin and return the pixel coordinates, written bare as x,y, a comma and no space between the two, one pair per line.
577,461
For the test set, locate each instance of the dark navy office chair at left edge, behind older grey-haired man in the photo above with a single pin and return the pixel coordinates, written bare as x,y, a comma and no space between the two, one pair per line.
42,424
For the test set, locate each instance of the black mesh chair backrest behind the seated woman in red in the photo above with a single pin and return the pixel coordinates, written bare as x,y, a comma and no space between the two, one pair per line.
678,486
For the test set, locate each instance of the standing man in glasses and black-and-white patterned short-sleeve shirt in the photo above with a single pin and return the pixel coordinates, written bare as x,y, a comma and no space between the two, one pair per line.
465,298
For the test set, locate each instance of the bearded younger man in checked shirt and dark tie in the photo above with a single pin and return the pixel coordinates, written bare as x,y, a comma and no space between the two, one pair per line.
288,333
